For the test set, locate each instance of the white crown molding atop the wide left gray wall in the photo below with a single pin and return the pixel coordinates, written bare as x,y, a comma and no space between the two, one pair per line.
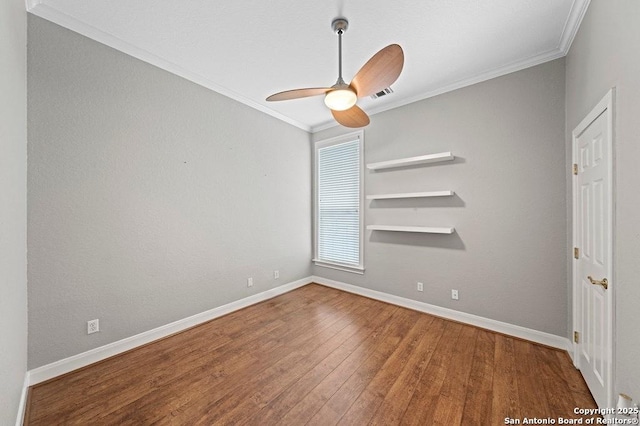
36,7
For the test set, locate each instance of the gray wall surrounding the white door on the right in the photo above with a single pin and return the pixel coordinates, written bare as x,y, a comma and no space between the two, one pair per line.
605,54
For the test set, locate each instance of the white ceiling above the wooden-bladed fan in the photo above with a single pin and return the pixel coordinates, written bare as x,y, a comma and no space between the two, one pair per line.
249,49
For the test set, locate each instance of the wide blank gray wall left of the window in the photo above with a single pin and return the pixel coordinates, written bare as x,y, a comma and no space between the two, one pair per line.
150,198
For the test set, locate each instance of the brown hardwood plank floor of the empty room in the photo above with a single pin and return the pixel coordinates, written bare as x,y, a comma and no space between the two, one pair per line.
319,356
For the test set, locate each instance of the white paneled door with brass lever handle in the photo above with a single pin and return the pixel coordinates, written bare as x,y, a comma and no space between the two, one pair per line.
593,284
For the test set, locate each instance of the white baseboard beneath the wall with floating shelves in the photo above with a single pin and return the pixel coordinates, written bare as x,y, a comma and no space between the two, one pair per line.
493,325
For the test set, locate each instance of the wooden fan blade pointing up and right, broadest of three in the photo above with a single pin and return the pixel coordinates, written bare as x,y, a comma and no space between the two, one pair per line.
379,72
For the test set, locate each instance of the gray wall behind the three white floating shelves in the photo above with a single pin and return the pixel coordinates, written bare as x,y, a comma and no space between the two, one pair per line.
507,258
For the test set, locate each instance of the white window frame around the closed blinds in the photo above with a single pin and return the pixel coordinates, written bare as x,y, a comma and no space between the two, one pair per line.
349,137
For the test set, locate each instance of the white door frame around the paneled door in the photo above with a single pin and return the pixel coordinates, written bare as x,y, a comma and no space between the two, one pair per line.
605,106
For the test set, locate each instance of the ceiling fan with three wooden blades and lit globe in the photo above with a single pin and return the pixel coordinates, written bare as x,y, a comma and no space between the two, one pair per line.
377,74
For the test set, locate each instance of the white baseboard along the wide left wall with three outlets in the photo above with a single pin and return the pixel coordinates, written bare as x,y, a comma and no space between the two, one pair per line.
67,365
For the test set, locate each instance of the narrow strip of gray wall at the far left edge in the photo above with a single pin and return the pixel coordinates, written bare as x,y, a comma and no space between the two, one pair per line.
13,206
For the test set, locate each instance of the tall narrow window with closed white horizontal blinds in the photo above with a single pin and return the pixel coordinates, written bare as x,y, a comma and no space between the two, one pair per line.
338,202
